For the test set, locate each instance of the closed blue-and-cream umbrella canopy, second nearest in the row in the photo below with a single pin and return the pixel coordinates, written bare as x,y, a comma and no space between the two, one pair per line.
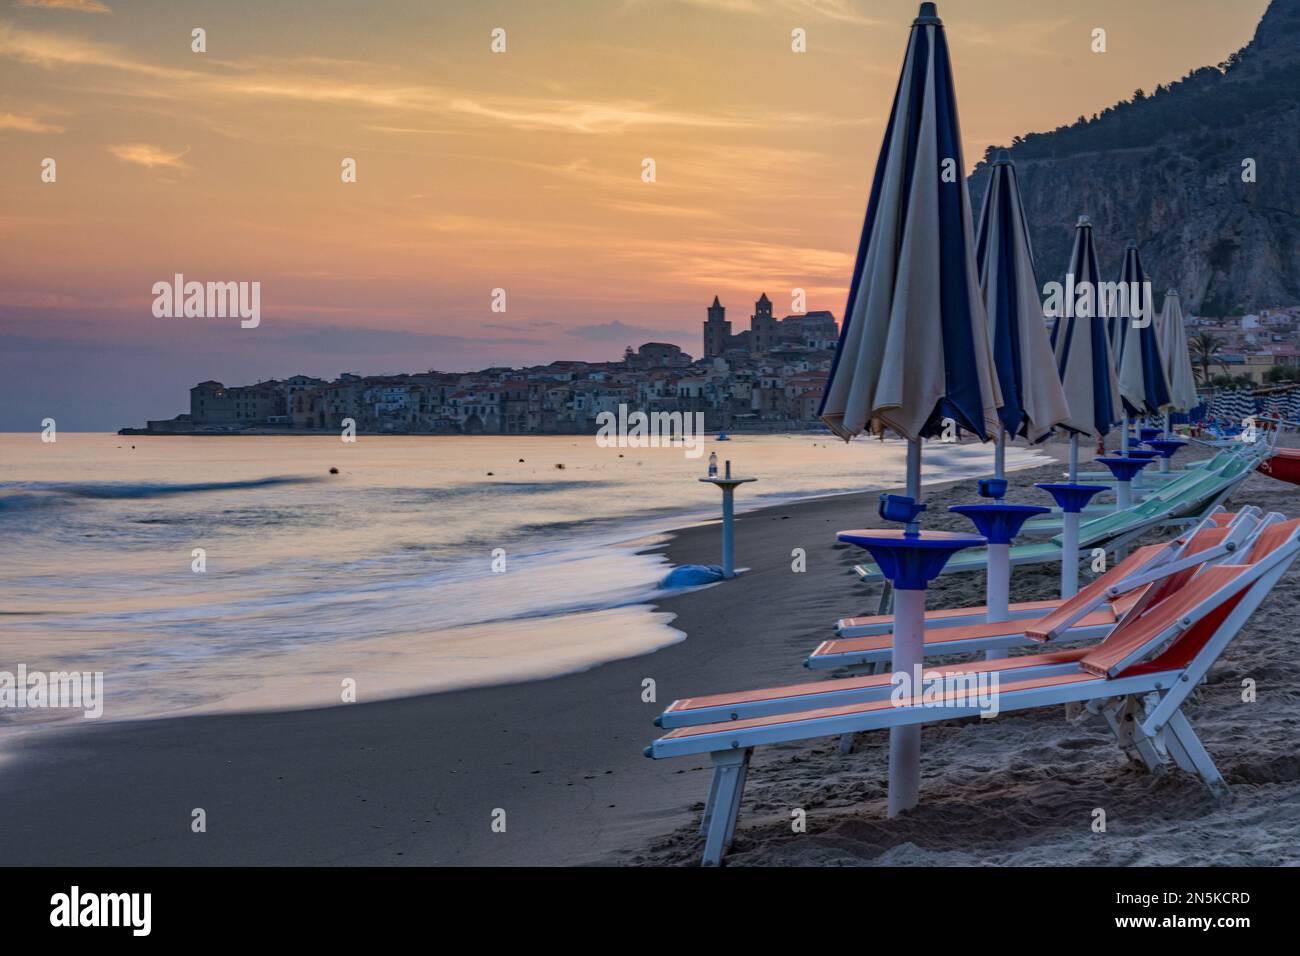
1033,399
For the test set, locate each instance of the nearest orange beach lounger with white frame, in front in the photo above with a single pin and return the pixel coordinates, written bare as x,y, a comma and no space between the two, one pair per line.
1138,678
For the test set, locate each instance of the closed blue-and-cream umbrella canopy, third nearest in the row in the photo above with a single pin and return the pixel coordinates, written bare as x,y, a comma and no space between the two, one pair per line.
1081,344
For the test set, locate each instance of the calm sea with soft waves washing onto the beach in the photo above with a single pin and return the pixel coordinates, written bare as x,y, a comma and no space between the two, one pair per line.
235,573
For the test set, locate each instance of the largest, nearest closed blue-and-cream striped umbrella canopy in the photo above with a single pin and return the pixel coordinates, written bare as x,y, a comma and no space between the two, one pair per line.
915,348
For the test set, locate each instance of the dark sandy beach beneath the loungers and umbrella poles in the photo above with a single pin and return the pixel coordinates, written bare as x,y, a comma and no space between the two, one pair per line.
421,781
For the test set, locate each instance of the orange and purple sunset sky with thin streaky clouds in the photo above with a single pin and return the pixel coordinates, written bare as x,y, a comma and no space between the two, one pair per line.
475,171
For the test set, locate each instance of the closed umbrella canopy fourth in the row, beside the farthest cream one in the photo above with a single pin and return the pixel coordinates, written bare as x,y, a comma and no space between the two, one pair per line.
1143,386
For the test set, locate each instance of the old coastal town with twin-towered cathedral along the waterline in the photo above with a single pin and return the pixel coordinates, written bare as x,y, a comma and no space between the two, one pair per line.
768,378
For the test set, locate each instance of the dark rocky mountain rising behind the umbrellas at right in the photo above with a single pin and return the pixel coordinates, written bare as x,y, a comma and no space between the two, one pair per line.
1167,168
